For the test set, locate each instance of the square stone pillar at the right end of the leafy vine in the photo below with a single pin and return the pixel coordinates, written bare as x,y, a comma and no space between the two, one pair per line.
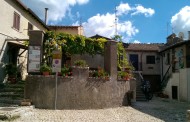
110,58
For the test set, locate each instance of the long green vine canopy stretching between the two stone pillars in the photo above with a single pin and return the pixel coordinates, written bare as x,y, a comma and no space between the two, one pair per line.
72,44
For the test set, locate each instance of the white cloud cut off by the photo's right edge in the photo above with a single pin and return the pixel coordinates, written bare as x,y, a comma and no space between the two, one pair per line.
181,21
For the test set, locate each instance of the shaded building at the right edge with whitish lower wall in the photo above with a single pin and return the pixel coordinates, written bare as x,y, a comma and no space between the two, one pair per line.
175,67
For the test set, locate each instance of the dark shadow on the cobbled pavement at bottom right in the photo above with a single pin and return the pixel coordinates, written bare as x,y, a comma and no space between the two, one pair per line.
164,109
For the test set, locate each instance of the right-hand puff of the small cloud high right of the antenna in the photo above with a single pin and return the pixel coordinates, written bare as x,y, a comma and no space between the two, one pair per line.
139,9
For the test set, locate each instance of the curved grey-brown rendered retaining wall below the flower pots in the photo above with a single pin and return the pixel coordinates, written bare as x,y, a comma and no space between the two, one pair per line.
76,92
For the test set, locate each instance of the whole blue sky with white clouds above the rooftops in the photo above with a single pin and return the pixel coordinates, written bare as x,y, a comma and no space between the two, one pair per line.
138,21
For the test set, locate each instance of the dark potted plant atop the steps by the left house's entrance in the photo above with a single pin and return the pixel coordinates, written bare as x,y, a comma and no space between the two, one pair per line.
11,71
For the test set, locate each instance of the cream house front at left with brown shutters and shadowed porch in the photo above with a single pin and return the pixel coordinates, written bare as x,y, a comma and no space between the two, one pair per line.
16,21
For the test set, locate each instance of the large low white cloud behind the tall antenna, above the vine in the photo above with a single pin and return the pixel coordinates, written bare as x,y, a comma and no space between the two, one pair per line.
104,25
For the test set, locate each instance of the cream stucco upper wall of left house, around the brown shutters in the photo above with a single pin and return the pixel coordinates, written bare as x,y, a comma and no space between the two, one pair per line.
6,27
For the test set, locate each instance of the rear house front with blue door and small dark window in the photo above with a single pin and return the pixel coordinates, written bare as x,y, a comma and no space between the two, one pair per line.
146,59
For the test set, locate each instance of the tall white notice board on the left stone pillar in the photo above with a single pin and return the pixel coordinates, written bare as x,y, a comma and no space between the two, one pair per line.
34,59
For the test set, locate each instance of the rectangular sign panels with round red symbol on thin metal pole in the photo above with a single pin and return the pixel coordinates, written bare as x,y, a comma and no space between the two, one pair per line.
56,64
